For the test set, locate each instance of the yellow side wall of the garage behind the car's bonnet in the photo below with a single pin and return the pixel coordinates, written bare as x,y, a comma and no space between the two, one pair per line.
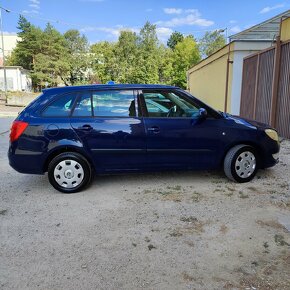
207,79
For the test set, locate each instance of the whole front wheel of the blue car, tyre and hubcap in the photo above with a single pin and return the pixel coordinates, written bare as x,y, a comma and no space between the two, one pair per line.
241,163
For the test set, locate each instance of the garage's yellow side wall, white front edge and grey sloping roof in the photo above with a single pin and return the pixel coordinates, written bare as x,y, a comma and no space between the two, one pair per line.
217,79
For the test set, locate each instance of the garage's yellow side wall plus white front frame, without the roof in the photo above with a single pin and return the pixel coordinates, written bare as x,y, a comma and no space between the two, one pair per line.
207,79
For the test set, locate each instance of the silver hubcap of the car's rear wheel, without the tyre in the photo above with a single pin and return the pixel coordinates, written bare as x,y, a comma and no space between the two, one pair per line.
68,173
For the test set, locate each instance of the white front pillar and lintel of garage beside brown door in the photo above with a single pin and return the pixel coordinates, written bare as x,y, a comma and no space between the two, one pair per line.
242,49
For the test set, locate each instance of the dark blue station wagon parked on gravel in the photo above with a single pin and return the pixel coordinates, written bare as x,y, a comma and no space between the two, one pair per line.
74,132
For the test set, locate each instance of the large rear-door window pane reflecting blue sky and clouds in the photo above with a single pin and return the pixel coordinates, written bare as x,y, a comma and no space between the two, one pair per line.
114,104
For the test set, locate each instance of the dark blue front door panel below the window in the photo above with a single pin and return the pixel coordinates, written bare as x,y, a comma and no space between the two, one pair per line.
183,142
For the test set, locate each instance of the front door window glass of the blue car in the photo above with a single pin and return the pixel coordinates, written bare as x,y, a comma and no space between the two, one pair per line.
169,104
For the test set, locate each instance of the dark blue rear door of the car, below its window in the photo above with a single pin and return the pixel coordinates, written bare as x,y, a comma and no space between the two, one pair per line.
114,143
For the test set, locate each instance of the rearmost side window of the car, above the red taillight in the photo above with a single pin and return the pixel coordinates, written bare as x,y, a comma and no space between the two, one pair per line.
61,107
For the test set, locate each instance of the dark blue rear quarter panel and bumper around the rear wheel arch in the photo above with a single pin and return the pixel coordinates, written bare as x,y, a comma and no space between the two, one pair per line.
42,138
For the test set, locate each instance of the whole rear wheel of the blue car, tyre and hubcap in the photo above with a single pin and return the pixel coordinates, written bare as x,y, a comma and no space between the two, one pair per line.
69,172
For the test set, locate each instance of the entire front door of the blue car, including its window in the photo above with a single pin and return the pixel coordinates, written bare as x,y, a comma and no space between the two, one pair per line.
176,135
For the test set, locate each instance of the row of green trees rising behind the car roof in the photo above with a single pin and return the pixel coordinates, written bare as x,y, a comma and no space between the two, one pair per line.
57,59
